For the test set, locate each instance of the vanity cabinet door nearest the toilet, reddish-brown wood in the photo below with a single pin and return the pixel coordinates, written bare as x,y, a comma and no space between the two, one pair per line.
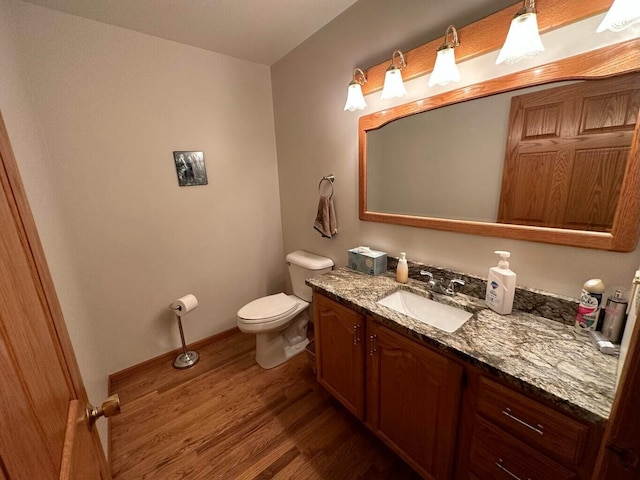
339,352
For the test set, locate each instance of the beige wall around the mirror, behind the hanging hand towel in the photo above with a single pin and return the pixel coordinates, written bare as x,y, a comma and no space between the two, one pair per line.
315,137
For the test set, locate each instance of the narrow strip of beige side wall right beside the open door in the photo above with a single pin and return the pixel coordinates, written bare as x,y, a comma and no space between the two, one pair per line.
21,119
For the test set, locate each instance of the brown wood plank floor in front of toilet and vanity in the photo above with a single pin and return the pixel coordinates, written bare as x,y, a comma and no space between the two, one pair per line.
226,418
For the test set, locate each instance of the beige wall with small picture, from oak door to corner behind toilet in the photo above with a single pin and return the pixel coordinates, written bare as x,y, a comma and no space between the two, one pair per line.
94,112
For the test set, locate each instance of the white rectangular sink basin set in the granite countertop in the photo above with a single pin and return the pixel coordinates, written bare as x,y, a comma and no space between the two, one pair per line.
439,315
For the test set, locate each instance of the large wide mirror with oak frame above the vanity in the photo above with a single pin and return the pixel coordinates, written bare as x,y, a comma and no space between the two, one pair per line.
447,162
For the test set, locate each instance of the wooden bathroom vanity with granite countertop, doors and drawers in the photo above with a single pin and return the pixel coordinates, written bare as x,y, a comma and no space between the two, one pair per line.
502,397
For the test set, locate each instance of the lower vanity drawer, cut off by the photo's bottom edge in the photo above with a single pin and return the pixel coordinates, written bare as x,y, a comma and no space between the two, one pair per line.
496,455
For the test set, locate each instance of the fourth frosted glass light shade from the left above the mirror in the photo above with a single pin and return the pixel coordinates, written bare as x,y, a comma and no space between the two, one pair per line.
523,39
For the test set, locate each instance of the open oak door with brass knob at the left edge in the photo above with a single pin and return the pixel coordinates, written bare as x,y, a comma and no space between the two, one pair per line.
43,431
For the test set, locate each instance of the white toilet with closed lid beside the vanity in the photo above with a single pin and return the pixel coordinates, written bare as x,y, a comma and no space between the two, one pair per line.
280,321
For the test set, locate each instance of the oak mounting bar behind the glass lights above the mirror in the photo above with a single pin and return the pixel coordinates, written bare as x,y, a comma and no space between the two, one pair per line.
486,35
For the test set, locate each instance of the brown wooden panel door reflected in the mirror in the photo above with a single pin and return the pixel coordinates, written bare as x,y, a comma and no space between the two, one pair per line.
567,153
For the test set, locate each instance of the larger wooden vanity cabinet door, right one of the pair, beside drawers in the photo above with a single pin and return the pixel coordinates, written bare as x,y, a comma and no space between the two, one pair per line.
413,396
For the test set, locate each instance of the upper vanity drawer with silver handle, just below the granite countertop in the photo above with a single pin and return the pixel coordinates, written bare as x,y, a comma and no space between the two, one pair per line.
537,425
